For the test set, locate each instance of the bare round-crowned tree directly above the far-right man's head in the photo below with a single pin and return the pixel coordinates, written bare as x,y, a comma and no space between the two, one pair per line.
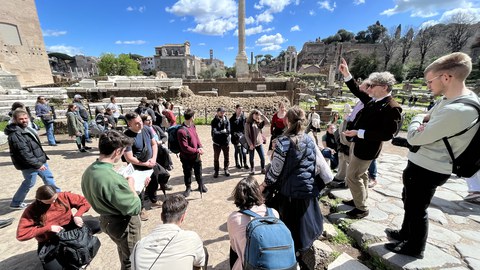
459,30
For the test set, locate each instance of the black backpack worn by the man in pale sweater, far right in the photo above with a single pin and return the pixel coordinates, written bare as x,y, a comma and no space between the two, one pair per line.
468,162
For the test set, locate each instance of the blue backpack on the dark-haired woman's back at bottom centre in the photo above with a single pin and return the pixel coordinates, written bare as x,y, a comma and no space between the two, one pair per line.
269,243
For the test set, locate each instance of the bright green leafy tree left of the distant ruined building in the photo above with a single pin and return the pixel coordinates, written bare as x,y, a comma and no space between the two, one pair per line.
123,65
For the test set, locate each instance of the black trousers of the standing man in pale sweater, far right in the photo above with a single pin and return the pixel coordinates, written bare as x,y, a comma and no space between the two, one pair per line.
419,186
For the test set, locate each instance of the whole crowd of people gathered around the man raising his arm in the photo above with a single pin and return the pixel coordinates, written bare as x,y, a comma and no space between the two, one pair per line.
298,170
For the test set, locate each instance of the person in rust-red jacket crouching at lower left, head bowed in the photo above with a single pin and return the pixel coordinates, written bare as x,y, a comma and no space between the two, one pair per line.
49,214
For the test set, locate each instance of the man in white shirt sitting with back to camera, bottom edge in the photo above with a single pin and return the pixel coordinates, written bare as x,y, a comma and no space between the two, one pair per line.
168,246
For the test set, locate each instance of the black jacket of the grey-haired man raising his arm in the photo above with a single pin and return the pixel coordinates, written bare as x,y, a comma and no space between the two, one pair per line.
378,119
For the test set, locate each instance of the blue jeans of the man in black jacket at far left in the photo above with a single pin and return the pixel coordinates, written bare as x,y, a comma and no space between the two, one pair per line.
30,176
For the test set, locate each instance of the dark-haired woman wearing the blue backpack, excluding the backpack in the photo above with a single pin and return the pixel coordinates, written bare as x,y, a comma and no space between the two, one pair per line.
246,195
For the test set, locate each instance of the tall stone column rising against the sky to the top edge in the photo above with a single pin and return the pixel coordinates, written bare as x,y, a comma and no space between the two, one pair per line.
241,61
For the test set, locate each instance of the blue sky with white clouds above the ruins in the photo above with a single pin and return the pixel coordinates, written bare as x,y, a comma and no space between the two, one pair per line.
95,27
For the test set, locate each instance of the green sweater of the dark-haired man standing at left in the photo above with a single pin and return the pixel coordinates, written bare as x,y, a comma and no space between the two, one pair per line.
108,192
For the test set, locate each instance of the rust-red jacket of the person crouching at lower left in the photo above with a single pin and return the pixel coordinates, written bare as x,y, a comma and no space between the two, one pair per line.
55,215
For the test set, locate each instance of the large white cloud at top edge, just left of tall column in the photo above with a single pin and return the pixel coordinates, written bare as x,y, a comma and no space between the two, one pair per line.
212,17
